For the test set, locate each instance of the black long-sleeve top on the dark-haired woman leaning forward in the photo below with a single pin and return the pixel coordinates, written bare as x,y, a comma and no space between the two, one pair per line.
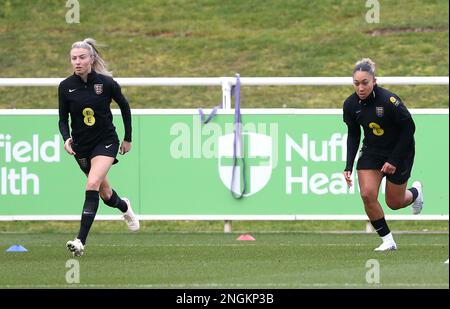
387,124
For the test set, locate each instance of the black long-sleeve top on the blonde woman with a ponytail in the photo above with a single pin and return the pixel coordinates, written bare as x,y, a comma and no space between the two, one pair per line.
88,104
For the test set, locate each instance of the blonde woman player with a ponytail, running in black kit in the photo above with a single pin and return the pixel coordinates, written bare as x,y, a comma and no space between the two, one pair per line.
86,96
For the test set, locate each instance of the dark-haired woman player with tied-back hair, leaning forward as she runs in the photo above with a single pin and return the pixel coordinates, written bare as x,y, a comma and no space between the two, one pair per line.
387,150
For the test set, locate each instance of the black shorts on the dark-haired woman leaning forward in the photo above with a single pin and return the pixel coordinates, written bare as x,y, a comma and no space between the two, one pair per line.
376,162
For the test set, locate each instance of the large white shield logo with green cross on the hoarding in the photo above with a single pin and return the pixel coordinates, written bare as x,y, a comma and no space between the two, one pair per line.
257,152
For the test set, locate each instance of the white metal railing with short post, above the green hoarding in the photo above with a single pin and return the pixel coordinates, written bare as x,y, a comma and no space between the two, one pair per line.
228,82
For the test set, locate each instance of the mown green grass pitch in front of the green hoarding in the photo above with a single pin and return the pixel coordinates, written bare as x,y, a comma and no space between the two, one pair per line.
217,260
